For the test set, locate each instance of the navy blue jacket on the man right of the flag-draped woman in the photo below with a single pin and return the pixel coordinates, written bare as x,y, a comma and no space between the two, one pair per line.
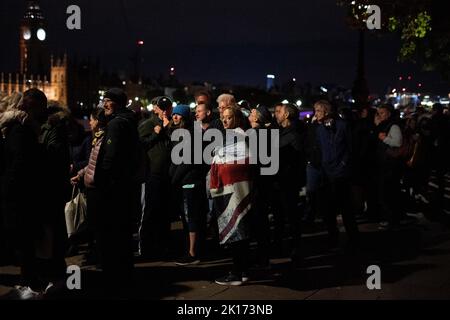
335,146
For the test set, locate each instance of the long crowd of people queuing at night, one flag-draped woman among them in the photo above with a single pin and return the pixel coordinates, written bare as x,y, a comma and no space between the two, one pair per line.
349,162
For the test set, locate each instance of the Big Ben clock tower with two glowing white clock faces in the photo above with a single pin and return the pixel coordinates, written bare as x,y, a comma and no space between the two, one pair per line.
34,59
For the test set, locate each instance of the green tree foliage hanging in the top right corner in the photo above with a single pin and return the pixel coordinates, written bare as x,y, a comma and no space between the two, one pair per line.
422,25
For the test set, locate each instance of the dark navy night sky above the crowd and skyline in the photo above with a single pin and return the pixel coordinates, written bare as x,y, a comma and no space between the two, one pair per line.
237,41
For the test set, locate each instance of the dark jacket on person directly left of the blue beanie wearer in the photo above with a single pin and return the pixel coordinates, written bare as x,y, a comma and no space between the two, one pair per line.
157,146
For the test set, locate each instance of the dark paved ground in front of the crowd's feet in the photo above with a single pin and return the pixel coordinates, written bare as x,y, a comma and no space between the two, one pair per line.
414,262
